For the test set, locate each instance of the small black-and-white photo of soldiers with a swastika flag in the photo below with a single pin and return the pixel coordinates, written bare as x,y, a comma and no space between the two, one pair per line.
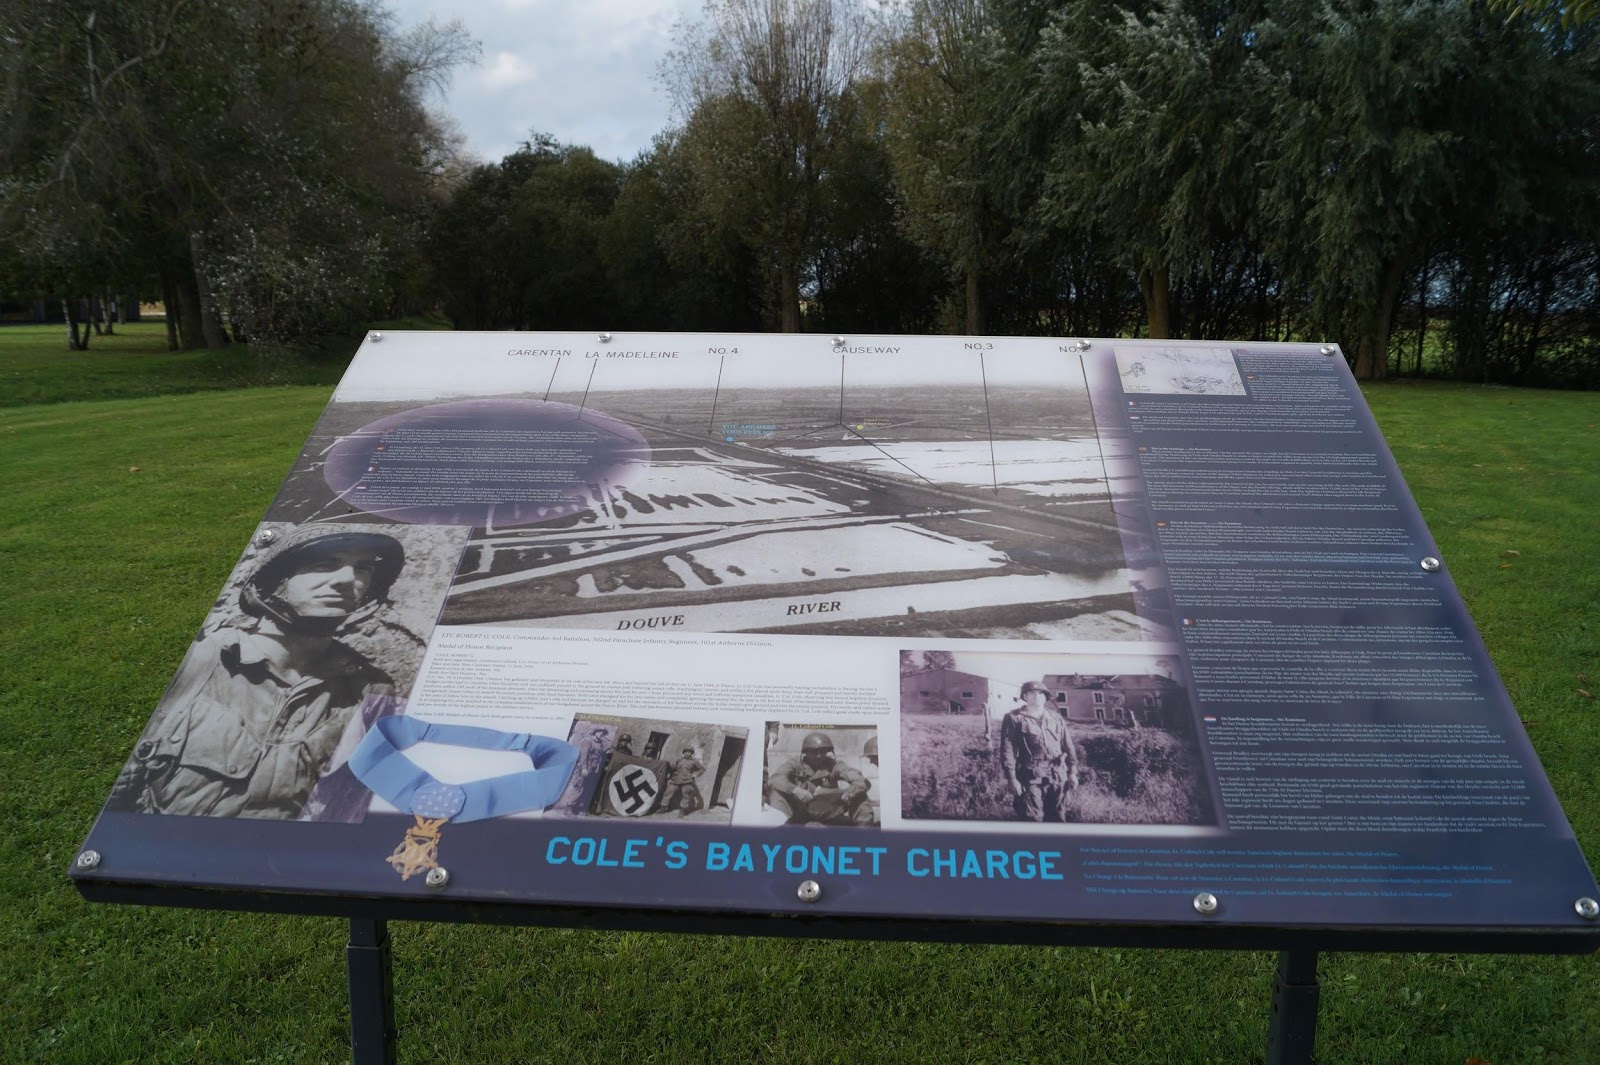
652,768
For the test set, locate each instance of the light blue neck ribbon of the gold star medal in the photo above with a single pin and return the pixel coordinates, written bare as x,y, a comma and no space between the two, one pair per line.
399,781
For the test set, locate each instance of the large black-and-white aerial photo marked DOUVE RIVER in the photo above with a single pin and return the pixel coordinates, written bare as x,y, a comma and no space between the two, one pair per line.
825,498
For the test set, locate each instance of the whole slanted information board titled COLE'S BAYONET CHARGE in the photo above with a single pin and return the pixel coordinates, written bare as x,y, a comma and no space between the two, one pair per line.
966,629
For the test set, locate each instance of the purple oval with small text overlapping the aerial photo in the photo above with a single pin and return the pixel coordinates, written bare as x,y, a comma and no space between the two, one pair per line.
484,463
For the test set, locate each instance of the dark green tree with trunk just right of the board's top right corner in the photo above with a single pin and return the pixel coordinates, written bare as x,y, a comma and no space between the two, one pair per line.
1369,156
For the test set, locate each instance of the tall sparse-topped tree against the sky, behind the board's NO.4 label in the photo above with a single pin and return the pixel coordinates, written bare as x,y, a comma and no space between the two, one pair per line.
762,90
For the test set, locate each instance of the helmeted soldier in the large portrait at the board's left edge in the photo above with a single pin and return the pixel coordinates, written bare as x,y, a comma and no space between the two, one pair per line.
257,709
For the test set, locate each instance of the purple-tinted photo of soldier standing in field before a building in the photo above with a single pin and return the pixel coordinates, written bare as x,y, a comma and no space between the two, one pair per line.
1049,738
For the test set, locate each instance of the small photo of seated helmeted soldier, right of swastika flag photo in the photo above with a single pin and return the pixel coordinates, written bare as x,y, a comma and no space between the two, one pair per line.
823,775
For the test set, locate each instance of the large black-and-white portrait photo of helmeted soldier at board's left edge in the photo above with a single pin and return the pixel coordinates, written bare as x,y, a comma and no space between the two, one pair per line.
314,623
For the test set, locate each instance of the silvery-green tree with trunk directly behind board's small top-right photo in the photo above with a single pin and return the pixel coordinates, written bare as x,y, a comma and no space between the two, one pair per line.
1156,126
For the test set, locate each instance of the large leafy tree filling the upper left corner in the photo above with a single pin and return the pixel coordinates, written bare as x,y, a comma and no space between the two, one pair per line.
262,159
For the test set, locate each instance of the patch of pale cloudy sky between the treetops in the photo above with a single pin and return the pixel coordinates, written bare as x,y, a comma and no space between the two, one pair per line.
583,71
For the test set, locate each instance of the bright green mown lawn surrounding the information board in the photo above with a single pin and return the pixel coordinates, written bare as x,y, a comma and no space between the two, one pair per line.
119,522
